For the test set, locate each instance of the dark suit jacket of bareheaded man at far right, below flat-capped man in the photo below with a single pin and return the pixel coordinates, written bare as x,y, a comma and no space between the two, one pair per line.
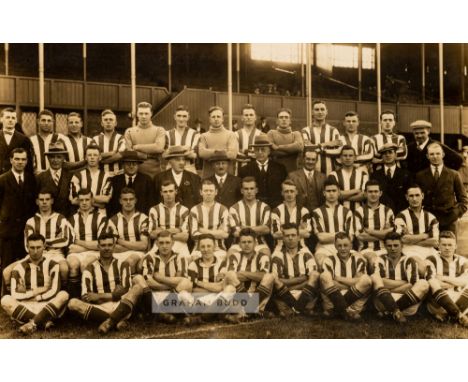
446,198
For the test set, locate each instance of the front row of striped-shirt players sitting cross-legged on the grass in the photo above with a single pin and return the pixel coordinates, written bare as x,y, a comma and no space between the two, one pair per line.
289,282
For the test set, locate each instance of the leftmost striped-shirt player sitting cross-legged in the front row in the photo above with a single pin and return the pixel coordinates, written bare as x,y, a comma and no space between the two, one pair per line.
36,299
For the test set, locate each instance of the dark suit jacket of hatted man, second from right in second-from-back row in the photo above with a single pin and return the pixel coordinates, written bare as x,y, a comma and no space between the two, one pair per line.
394,189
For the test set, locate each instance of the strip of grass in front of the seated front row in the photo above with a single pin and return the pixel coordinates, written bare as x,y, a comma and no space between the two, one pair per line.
298,327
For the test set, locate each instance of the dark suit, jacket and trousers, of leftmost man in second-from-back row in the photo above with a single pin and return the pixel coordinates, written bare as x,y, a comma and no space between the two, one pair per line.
17,204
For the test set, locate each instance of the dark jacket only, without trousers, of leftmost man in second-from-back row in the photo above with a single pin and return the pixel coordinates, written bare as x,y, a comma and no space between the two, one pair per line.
17,204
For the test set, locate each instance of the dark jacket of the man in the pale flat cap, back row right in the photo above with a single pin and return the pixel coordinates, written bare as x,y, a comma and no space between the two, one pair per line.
417,159
